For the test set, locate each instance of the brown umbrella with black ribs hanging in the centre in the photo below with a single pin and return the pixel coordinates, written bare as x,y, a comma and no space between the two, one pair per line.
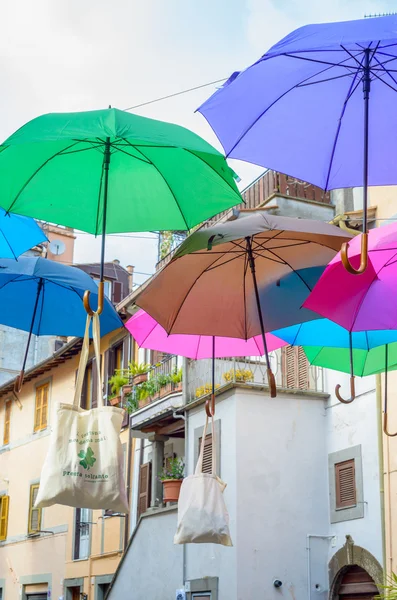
243,278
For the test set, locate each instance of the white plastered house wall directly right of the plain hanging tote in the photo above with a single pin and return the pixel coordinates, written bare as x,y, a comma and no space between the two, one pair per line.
281,491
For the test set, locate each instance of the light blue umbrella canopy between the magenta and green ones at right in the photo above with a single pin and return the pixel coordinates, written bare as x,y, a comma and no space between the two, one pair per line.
323,332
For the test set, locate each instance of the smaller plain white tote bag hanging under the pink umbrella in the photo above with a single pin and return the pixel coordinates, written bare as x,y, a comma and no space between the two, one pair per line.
202,512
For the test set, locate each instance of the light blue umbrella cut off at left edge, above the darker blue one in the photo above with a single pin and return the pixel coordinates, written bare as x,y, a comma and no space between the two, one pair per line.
18,234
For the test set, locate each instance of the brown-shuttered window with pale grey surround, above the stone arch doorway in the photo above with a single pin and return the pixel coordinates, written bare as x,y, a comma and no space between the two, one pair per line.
346,485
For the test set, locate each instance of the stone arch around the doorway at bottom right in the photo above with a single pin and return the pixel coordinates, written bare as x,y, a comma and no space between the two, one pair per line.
345,557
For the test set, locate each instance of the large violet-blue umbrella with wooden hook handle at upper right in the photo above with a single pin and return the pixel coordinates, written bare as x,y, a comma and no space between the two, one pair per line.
320,106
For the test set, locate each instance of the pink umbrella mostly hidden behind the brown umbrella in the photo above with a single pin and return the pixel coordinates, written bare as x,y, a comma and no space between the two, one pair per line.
151,335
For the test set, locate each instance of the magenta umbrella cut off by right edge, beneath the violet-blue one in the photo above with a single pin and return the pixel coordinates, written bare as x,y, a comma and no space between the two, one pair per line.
366,302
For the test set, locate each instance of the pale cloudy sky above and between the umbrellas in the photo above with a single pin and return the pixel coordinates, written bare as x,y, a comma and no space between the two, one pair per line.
72,55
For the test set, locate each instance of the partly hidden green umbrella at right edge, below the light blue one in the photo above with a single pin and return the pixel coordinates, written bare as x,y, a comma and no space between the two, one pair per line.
356,362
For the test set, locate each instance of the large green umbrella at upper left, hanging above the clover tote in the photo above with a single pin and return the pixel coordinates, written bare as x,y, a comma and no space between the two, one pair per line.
109,171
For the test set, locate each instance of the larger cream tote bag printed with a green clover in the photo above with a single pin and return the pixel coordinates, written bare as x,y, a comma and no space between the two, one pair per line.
84,463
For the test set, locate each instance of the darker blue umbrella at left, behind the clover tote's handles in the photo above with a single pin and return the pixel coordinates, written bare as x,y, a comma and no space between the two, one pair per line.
45,298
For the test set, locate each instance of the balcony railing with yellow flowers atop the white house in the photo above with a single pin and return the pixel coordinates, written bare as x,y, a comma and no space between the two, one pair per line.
252,371
